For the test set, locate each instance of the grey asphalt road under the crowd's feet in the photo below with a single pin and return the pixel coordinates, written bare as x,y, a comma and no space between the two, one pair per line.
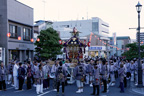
70,90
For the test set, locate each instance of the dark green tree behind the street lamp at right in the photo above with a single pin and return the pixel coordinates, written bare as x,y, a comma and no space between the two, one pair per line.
133,51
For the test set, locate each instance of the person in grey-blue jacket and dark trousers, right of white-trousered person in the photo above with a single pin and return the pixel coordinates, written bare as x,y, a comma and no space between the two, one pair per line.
46,70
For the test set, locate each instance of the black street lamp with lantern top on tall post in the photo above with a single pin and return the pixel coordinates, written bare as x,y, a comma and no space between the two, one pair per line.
138,7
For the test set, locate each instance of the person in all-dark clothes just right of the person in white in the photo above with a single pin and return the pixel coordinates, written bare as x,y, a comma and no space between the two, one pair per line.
21,76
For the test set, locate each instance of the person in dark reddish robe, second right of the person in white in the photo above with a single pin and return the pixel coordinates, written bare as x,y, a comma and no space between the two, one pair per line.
29,75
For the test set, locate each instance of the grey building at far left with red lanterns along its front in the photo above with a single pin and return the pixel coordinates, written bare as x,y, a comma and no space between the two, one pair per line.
16,19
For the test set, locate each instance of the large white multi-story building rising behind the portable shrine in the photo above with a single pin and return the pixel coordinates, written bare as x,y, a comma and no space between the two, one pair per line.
95,25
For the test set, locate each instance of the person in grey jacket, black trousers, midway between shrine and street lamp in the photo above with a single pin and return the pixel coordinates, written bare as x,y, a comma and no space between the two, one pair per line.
104,75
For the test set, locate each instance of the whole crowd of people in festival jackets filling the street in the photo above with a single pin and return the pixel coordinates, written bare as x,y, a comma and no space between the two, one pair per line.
95,72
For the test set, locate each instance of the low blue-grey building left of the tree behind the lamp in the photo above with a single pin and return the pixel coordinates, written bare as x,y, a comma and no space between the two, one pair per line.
121,43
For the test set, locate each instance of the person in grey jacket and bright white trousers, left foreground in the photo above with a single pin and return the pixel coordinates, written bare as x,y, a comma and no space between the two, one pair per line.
39,75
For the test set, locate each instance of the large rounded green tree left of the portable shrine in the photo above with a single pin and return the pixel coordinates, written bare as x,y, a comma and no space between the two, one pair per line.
48,46
